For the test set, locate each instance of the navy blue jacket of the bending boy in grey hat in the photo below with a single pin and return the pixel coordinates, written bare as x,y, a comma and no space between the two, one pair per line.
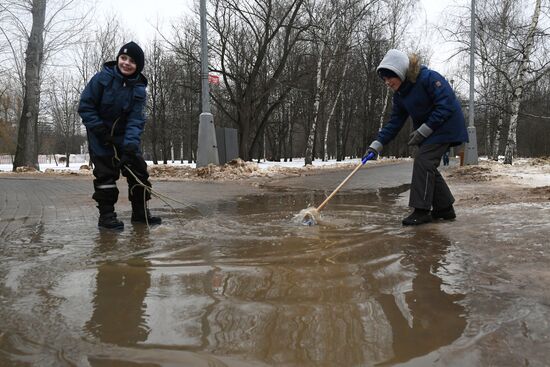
429,100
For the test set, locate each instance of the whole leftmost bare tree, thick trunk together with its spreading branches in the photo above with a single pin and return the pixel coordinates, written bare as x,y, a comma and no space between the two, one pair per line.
50,33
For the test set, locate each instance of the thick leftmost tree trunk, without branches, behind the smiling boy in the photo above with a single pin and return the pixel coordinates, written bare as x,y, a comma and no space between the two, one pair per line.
26,153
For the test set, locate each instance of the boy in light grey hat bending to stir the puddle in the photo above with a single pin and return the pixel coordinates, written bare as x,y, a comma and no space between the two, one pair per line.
438,123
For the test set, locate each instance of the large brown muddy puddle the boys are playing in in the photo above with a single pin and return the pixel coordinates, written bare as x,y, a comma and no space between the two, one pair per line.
234,284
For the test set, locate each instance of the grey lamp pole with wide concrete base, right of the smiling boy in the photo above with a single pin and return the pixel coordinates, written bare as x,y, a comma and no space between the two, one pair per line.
207,147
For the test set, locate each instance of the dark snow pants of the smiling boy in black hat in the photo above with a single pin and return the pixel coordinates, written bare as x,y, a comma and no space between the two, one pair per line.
106,174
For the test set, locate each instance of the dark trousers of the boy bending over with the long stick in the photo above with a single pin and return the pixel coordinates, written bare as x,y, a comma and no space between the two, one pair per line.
428,188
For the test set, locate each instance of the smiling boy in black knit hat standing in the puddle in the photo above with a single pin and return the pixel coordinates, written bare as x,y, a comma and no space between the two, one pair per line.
112,109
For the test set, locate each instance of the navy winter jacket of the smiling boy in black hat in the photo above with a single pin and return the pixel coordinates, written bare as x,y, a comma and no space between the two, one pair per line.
110,97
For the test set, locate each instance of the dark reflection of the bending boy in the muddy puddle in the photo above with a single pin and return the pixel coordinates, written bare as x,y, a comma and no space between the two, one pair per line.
423,317
